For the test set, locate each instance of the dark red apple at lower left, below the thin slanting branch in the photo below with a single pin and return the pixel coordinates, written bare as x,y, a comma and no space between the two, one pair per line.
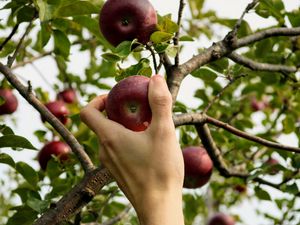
55,148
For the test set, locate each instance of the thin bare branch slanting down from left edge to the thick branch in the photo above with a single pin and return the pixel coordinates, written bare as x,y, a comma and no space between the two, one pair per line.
49,117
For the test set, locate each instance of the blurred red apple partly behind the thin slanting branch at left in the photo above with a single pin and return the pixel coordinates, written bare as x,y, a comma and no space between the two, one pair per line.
59,110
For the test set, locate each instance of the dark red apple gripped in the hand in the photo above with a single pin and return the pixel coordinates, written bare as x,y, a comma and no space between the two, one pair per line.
127,103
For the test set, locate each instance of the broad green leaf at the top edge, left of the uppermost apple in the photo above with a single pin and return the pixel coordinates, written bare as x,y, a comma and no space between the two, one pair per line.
76,9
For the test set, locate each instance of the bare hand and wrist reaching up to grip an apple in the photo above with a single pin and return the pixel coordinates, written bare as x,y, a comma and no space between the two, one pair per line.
148,165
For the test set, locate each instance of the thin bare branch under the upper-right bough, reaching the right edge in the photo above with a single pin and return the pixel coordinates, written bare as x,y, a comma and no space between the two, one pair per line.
257,66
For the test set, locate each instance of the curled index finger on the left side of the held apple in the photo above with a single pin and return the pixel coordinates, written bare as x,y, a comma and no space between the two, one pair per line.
91,115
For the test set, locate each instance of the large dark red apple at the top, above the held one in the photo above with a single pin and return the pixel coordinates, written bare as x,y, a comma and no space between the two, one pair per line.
127,20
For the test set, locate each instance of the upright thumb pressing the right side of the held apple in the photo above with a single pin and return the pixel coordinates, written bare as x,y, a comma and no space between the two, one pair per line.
160,100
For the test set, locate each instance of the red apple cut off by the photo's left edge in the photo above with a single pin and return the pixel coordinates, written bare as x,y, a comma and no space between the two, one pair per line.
11,102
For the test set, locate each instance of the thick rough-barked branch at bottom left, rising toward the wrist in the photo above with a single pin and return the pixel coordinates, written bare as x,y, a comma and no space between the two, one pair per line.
76,198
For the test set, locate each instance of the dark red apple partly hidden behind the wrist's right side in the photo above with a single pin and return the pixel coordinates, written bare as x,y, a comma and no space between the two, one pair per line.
198,167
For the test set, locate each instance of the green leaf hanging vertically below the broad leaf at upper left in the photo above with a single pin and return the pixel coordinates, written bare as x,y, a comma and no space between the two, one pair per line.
61,43
